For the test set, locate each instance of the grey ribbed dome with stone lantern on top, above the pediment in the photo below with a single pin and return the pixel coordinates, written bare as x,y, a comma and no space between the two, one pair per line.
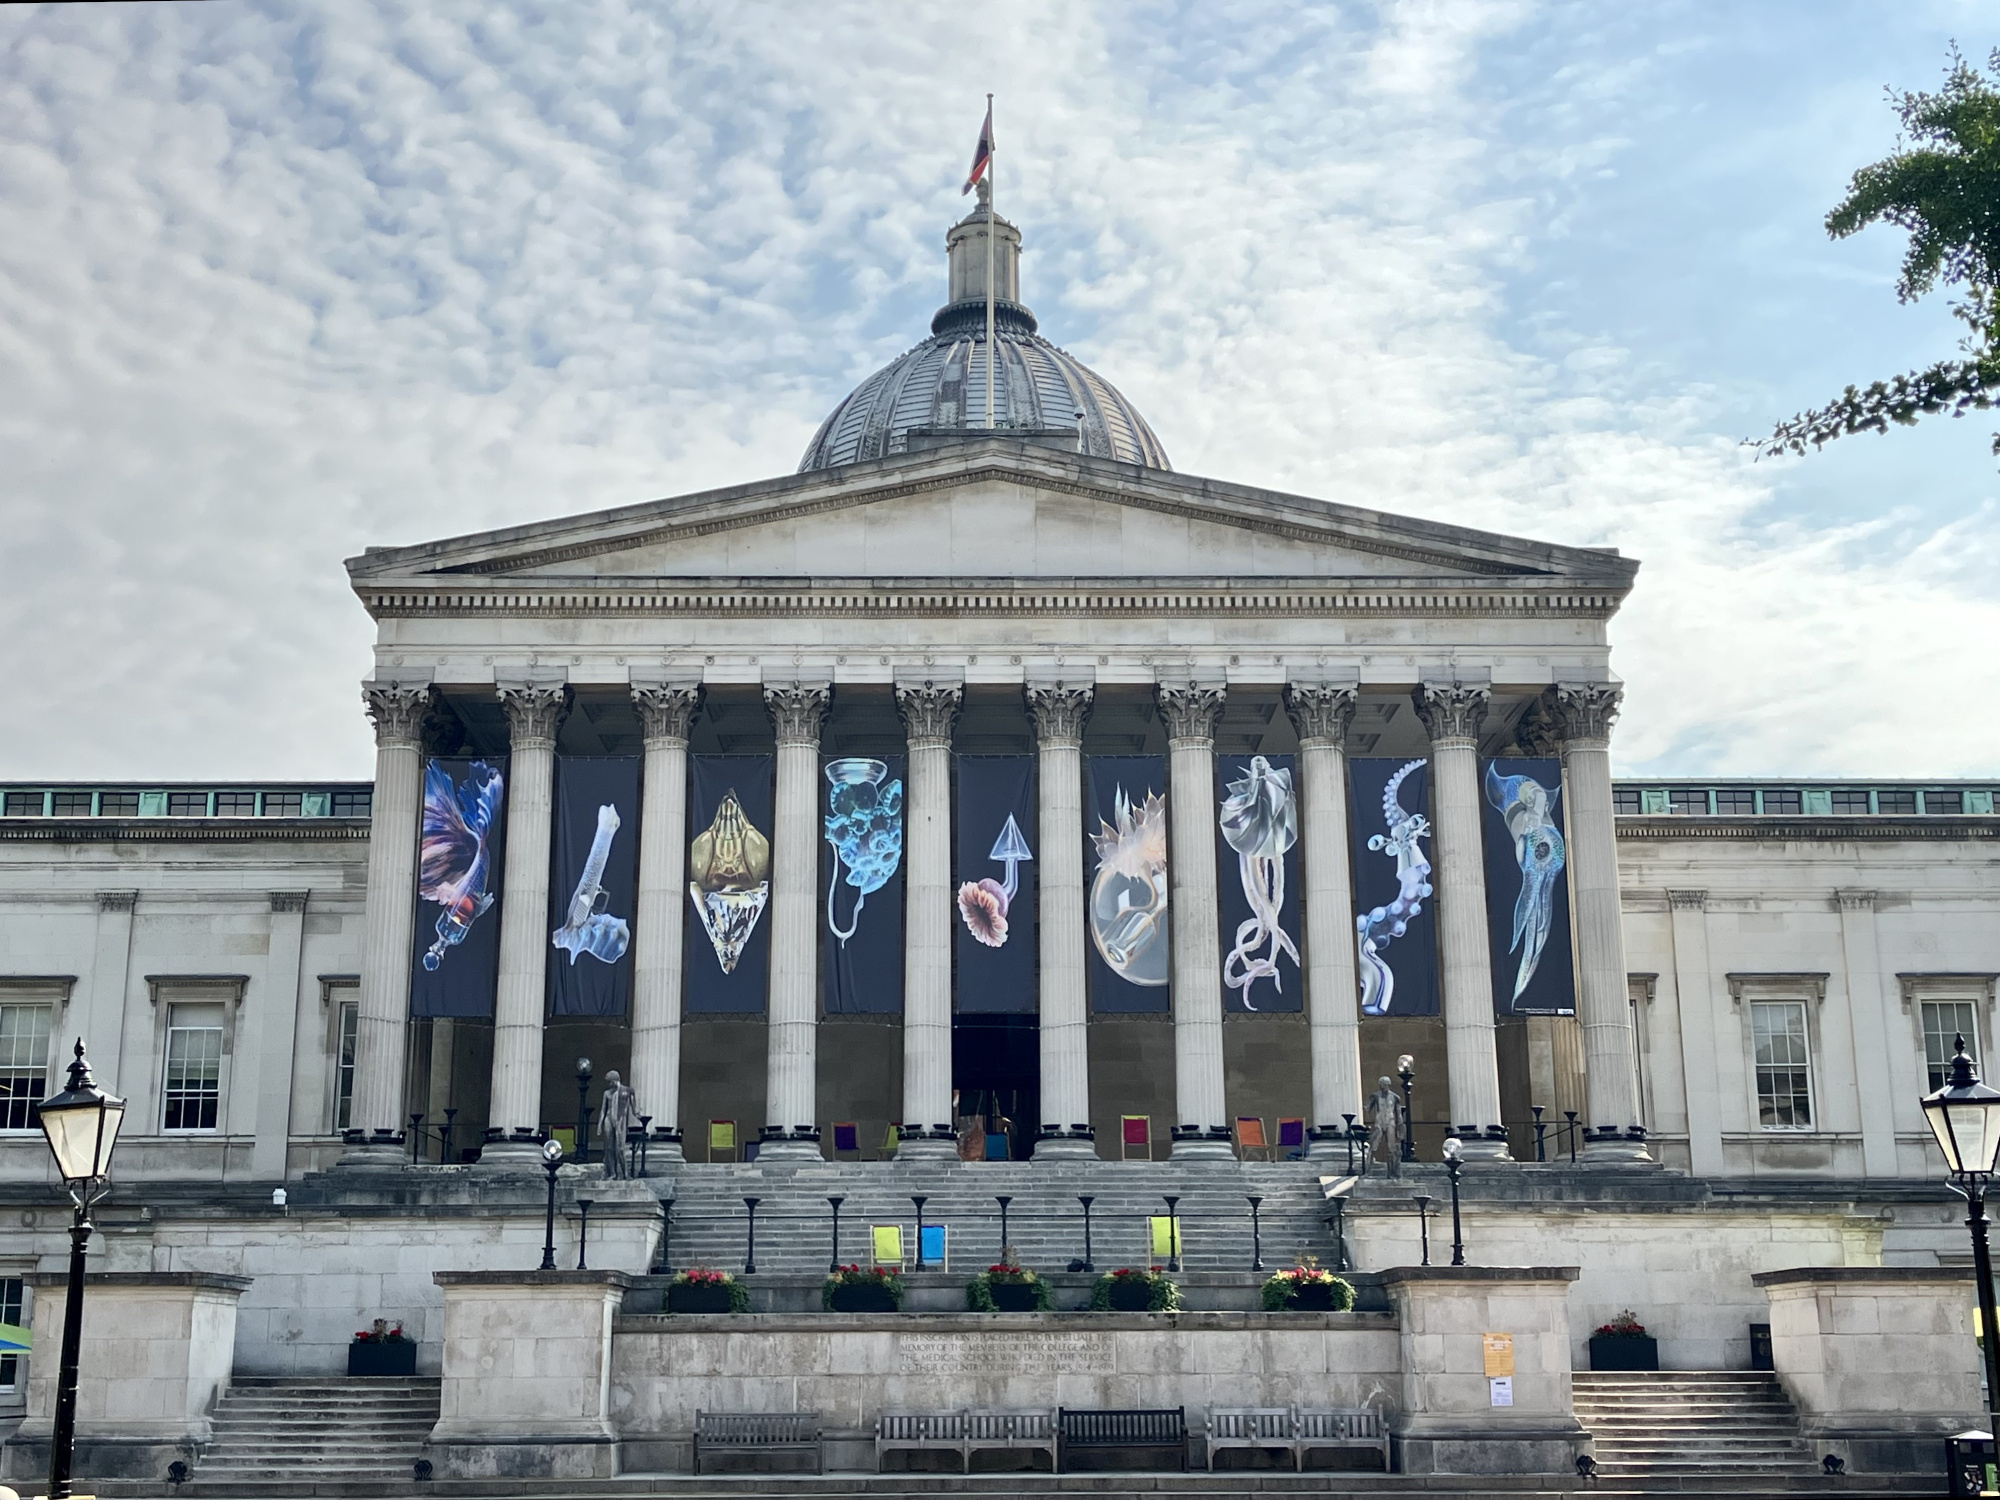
937,393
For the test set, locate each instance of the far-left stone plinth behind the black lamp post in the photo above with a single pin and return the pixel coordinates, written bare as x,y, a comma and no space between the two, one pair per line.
155,1361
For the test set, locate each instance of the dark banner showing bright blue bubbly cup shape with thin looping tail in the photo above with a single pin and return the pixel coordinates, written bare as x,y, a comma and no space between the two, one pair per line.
861,873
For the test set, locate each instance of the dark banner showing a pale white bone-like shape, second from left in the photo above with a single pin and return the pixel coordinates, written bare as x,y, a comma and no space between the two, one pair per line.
593,887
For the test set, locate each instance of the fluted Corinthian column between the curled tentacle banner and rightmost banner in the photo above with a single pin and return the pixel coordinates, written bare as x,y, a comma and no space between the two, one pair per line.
1453,717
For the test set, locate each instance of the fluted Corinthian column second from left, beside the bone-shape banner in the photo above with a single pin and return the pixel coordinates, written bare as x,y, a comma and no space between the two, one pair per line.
515,1117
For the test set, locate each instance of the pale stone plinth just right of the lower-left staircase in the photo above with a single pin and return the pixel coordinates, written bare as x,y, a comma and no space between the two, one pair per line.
527,1363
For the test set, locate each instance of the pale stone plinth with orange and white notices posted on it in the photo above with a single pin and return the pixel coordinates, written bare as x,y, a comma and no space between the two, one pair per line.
1449,1421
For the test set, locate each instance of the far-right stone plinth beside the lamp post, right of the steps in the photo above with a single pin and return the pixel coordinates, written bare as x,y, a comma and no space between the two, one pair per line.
1879,1359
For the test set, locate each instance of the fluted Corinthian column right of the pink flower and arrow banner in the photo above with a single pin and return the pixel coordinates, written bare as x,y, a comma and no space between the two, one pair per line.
1065,1023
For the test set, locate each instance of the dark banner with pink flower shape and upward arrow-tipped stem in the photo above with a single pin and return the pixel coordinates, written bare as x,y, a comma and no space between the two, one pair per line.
997,933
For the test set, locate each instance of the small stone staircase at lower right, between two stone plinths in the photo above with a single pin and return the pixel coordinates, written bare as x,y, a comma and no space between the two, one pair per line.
1715,1425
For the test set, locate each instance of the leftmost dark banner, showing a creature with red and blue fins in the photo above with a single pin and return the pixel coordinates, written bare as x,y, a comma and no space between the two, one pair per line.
461,855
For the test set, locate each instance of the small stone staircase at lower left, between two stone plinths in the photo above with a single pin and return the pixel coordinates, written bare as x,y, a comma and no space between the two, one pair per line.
323,1431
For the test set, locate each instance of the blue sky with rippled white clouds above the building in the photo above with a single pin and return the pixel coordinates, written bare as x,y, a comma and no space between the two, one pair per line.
287,281
